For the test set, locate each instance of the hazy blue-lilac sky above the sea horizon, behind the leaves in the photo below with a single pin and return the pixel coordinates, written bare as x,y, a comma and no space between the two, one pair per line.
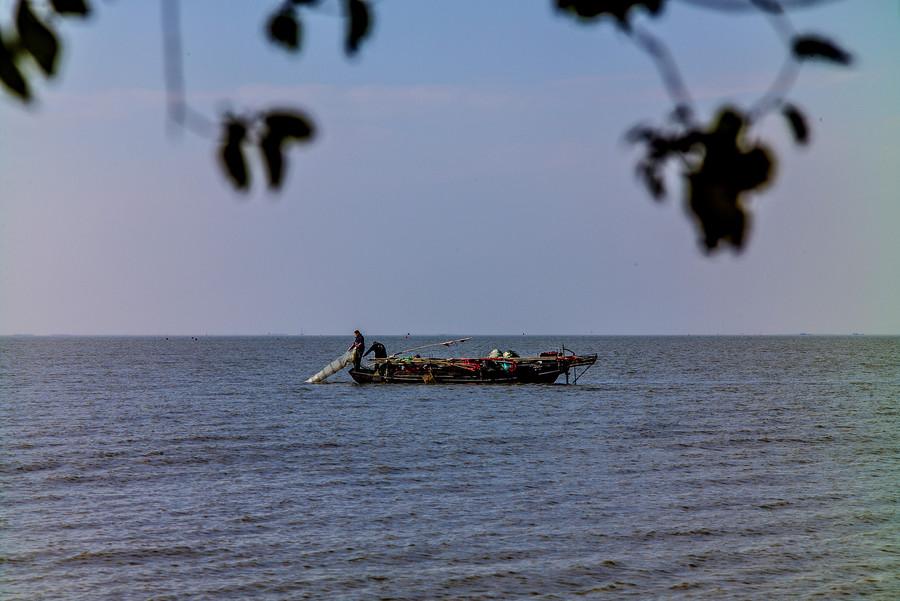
470,177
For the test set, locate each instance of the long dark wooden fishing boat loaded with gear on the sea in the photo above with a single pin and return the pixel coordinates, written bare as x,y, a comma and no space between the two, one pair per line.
507,368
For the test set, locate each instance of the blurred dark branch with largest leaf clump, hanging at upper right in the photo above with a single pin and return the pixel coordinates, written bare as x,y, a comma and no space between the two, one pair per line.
720,165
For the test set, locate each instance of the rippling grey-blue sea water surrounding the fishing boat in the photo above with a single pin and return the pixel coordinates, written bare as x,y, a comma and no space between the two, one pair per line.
677,467
